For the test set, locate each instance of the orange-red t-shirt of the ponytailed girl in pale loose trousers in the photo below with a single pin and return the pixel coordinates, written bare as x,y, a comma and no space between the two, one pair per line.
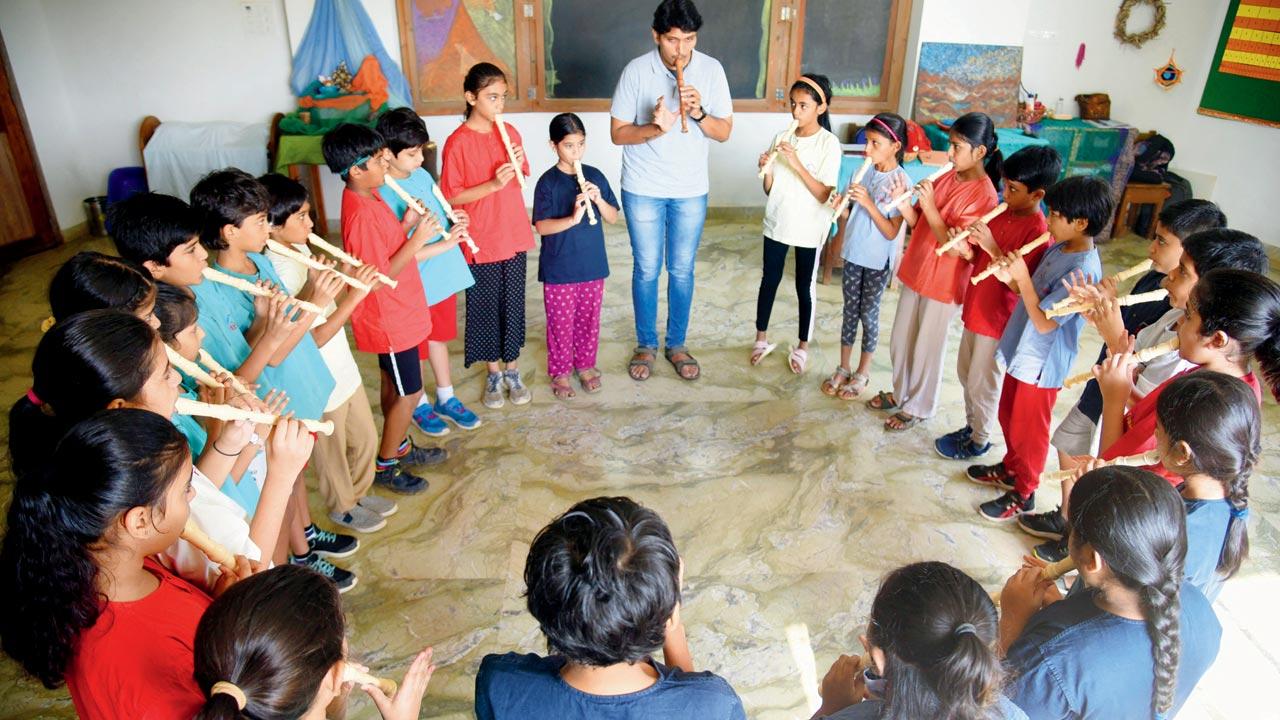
945,279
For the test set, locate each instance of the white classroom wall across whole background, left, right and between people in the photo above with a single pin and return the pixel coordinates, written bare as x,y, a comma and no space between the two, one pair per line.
90,71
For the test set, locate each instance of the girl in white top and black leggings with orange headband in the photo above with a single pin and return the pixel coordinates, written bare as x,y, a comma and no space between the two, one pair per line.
799,179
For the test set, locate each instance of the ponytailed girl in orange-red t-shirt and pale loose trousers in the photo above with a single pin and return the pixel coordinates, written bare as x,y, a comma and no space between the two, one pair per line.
934,288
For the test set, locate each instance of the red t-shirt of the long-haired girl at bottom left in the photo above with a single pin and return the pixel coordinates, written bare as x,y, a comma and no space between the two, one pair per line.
138,662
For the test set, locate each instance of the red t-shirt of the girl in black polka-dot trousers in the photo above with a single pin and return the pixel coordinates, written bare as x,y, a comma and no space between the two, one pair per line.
500,224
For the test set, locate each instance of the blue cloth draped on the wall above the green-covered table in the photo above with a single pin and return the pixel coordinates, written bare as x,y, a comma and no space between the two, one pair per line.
341,30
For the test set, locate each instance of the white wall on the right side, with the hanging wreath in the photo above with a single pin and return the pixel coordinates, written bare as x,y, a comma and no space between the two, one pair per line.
1228,162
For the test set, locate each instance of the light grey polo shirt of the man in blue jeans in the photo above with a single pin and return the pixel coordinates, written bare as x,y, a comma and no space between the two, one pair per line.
673,165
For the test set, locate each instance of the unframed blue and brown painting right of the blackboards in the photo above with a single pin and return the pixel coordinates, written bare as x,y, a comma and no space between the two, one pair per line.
957,79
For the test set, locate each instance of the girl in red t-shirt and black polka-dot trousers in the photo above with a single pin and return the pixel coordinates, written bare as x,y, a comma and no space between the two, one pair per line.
477,175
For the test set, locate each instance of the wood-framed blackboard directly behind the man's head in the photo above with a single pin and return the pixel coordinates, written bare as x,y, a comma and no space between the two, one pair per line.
588,43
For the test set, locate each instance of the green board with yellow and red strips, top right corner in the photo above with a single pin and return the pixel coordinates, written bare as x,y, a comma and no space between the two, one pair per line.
1244,81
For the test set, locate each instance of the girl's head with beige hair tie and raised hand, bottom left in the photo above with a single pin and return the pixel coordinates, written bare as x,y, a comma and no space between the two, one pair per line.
255,659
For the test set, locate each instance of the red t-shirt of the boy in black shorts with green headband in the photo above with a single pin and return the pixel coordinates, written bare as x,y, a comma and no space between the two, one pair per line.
390,320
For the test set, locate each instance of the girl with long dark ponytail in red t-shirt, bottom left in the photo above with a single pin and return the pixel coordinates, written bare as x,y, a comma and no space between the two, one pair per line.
85,603
